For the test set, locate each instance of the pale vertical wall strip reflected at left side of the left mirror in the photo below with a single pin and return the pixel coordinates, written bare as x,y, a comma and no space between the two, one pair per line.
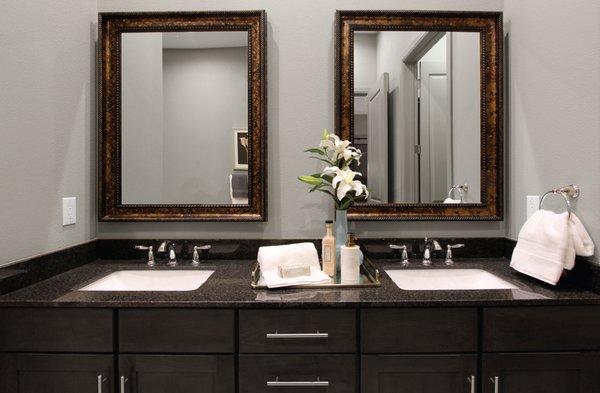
142,118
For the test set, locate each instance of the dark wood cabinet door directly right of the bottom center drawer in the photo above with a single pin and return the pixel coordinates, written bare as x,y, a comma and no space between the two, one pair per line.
419,373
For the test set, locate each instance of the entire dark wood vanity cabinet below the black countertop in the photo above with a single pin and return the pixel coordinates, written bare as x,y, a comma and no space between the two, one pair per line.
370,350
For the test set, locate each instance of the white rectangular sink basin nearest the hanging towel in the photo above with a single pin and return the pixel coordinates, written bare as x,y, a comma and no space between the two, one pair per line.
446,279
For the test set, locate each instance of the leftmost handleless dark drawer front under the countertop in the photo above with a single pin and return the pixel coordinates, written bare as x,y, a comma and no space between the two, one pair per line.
56,330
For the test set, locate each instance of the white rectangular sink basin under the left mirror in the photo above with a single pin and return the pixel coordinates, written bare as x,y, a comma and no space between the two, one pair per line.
150,280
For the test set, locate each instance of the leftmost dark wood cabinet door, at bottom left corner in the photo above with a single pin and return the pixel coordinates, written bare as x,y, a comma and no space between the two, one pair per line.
28,373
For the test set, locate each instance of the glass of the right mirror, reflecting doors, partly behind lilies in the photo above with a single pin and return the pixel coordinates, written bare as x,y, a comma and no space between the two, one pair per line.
417,115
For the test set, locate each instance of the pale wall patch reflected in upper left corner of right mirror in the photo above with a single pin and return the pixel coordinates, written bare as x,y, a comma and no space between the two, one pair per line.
365,64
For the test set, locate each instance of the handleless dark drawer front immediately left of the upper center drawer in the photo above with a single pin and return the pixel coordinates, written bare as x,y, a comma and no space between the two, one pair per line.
176,331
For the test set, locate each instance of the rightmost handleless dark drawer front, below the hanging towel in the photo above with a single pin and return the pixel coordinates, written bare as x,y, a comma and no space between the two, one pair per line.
563,328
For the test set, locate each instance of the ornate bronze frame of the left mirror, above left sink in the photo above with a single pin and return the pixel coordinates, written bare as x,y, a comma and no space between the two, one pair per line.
111,27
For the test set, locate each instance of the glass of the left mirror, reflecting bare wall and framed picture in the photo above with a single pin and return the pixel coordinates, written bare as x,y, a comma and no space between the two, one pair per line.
184,118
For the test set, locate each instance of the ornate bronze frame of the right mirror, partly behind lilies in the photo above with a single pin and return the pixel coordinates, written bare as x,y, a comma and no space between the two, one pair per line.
489,25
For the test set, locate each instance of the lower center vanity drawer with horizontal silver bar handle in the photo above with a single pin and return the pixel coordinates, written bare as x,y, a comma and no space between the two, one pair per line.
297,373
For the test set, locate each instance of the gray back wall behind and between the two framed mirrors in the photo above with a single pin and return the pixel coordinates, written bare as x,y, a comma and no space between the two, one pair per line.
301,102
